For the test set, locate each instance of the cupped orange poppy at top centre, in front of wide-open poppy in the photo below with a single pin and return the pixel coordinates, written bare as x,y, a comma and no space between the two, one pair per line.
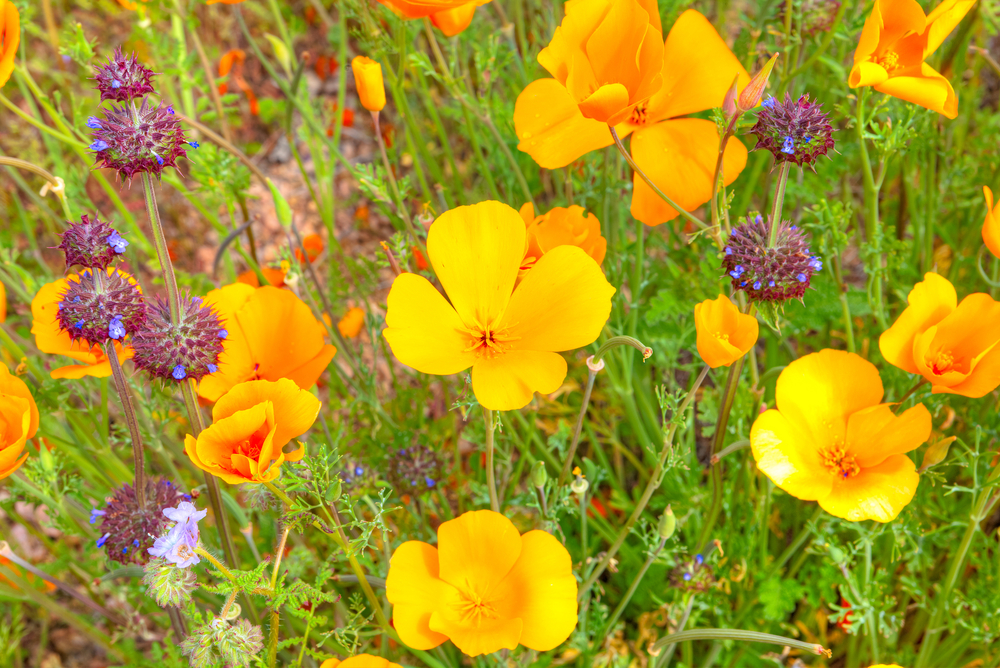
607,56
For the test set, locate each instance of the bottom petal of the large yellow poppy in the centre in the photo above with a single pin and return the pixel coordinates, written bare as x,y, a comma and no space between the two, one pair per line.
509,381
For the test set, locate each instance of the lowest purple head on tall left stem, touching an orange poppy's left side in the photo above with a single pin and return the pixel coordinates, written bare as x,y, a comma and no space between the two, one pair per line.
173,352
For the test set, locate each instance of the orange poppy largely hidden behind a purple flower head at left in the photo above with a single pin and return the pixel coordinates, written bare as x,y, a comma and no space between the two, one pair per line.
49,338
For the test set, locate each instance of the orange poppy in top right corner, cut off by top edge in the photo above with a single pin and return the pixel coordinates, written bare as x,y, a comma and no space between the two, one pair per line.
894,43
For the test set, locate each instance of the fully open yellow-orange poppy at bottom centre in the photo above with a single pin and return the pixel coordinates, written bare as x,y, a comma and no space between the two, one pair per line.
485,587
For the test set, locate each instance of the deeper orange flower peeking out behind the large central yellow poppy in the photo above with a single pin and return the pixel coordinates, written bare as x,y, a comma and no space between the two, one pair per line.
561,226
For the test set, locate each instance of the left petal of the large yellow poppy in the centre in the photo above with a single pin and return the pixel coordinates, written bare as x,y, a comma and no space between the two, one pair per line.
423,330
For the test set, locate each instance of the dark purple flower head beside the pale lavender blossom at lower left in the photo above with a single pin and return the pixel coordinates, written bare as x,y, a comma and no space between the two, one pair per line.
127,530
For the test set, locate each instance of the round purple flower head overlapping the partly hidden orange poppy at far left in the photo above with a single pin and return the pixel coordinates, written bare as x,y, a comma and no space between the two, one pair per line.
97,312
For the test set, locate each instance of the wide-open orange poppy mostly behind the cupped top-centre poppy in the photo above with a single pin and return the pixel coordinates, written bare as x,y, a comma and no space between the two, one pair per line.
678,154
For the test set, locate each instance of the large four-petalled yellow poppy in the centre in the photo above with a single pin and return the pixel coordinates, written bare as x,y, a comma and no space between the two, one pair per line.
511,337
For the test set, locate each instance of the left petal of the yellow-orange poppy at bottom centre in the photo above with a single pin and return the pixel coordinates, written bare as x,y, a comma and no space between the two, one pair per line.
414,589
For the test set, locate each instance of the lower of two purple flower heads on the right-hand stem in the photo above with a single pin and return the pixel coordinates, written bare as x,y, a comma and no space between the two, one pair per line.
769,274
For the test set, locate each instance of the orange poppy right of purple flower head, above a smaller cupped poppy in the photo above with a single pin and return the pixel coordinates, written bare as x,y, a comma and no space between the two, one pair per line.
271,334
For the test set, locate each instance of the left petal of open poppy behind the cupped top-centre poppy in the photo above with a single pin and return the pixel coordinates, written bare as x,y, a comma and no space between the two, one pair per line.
550,127
